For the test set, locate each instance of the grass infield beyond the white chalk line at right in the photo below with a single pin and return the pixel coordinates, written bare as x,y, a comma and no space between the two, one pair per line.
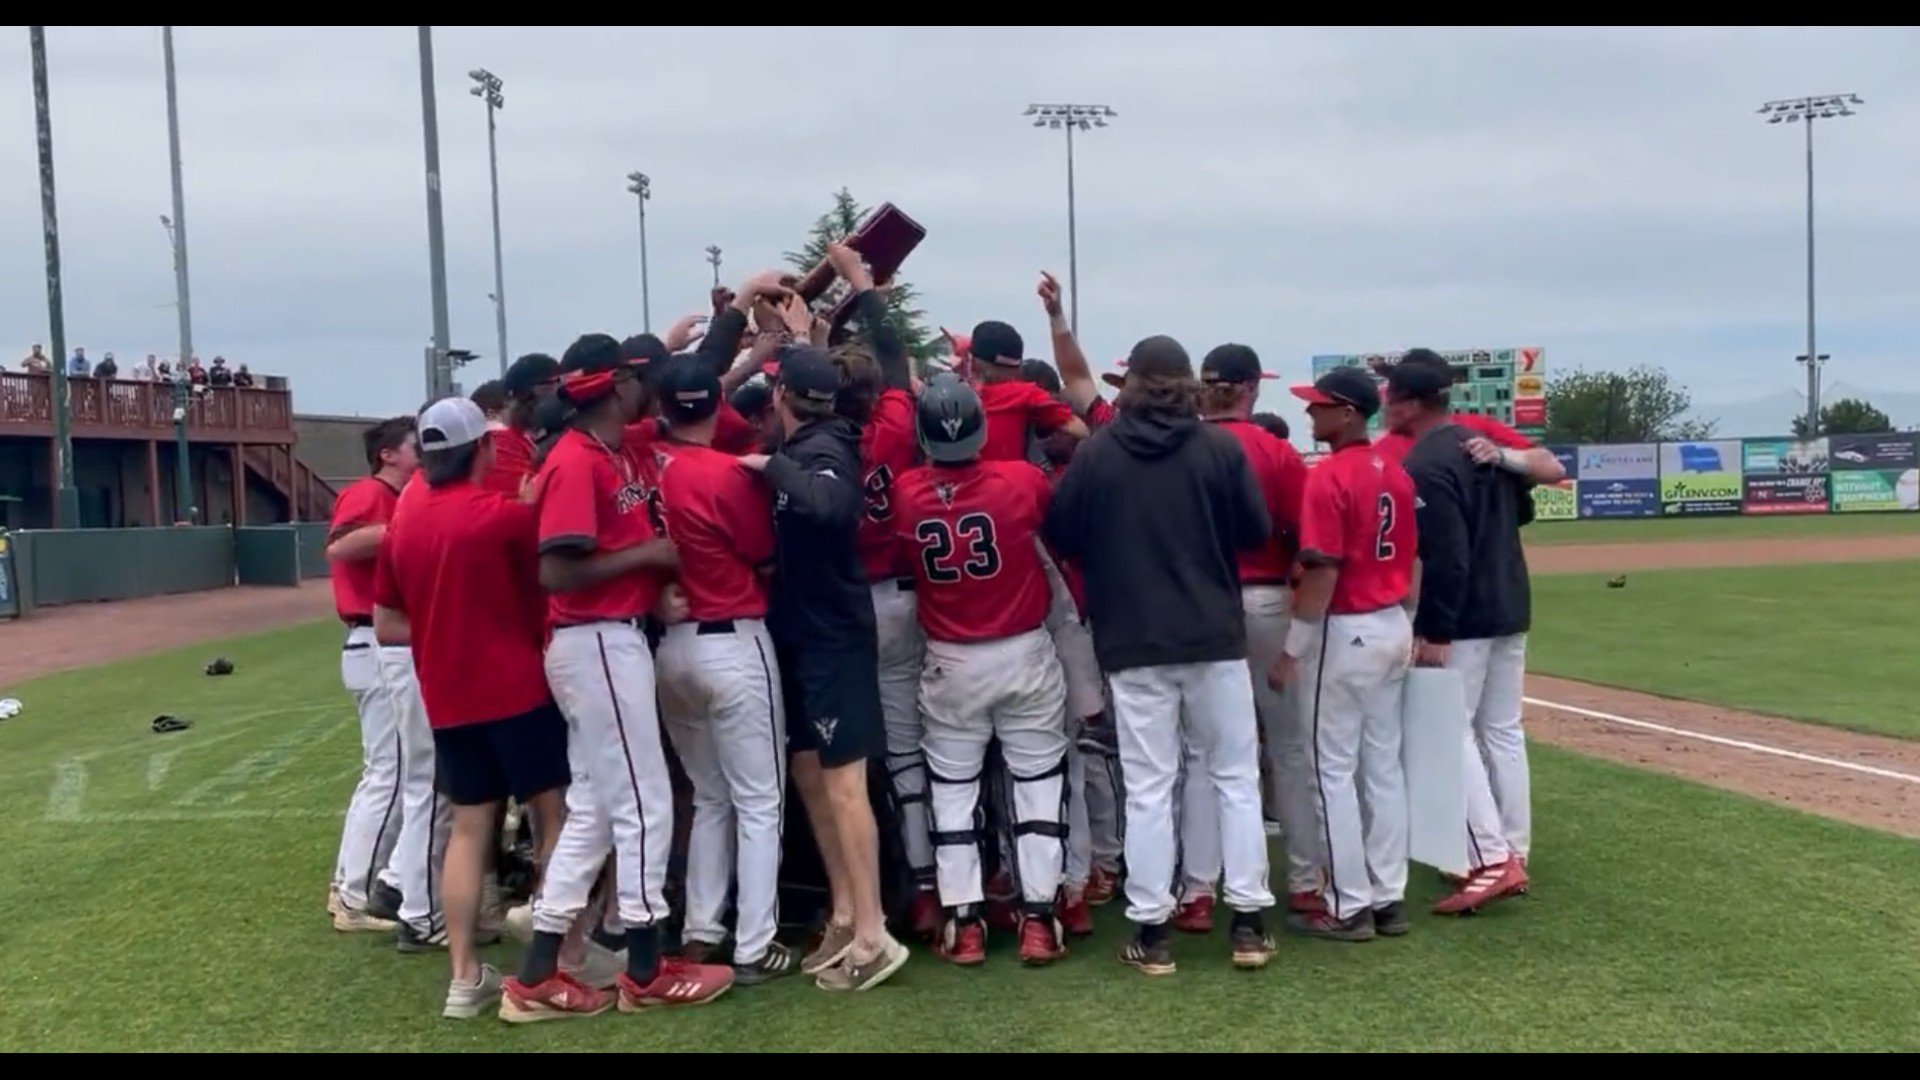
1817,643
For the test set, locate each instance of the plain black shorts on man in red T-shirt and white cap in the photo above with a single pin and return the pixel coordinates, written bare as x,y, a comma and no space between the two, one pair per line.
485,764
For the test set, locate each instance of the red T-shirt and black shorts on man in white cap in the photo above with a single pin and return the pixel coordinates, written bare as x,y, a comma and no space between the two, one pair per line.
460,564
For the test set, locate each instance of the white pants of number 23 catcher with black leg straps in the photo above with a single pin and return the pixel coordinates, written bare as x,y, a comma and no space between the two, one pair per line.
971,695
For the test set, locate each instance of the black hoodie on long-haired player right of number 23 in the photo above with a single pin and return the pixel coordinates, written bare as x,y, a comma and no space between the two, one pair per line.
1155,510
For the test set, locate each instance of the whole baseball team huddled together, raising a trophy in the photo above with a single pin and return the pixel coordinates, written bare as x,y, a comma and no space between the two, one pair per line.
769,556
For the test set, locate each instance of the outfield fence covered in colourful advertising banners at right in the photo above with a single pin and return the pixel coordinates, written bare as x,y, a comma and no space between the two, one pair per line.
1844,474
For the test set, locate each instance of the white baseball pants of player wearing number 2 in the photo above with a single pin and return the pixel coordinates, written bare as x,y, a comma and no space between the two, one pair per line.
1351,691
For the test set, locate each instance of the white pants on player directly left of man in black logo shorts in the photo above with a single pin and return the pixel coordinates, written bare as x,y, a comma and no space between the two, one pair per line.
723,708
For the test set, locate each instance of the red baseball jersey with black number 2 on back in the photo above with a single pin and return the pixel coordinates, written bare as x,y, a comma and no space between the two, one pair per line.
1358,514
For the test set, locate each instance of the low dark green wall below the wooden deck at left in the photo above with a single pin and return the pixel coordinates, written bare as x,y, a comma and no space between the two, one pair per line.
47,568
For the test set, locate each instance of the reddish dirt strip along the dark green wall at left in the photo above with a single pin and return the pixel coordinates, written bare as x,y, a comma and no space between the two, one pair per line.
59,639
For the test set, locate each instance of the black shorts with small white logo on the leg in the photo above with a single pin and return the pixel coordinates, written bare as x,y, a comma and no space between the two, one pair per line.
832,702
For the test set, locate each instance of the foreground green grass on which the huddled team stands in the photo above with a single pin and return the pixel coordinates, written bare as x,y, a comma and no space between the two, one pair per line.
164,895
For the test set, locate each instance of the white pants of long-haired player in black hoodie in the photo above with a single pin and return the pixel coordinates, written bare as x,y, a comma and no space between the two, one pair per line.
1218,700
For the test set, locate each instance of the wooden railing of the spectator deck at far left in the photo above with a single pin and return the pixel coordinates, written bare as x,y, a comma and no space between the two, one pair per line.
124,408
